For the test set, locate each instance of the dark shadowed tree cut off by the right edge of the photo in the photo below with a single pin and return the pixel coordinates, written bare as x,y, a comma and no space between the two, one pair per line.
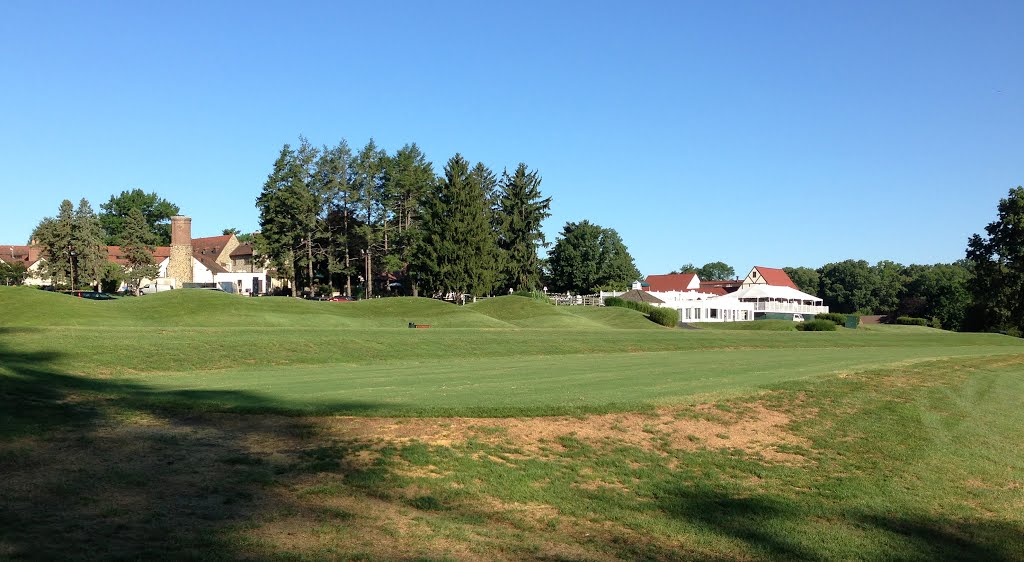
998,261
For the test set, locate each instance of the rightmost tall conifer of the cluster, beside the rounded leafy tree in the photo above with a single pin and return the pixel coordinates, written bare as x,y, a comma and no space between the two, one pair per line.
520,214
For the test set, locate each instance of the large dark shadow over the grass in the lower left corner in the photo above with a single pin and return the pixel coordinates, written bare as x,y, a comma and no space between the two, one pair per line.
99,469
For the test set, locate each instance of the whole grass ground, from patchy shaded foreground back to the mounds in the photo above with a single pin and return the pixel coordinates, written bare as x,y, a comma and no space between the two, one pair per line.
152,428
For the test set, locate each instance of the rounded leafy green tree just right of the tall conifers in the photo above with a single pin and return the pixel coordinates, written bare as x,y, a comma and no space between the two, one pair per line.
587,258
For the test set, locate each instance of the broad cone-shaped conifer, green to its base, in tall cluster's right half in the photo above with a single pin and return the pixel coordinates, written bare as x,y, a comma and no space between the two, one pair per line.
457,251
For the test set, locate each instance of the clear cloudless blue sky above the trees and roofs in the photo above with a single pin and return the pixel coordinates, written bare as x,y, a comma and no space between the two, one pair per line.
756,134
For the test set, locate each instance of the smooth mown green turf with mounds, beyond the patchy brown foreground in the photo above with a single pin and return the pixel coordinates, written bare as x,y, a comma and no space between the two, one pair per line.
508,356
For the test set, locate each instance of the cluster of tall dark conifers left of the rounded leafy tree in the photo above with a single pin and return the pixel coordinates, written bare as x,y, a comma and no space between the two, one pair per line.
367,223
